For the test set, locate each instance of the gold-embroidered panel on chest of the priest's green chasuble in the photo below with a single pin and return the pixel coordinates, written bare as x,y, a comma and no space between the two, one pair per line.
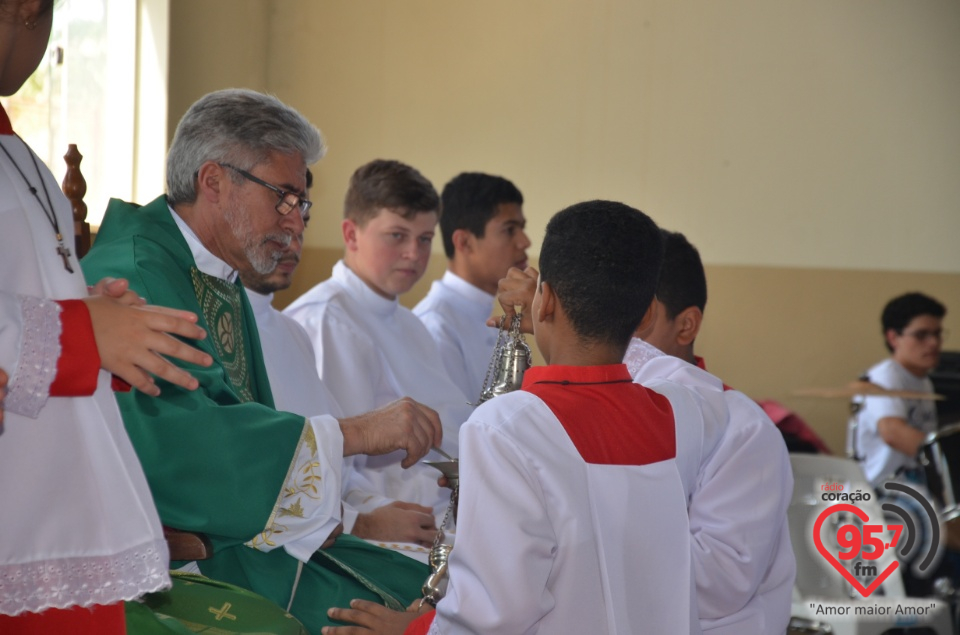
222,308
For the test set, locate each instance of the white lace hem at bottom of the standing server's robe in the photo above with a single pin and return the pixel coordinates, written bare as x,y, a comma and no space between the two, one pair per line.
36,586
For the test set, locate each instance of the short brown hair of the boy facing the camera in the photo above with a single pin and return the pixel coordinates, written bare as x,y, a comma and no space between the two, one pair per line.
388,184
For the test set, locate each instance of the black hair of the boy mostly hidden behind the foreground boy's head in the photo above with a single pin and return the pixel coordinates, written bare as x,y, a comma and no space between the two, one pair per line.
683,283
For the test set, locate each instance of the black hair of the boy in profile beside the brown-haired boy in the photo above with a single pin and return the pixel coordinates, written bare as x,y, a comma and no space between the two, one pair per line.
470,200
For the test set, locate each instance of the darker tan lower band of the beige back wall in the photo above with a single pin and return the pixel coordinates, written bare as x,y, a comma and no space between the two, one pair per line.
768,331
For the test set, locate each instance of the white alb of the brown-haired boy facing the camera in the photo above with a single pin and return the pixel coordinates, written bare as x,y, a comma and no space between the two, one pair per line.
371,351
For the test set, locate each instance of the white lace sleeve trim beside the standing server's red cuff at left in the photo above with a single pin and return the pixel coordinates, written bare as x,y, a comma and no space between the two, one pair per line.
39,352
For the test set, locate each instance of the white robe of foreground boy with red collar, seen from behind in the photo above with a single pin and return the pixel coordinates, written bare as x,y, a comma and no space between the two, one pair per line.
549,542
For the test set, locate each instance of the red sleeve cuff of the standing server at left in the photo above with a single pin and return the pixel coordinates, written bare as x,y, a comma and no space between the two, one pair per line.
79,361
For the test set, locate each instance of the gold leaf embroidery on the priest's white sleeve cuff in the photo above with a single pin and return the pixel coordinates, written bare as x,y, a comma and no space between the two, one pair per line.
303,482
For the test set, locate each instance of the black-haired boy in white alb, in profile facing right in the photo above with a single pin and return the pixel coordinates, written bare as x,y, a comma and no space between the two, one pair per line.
482,229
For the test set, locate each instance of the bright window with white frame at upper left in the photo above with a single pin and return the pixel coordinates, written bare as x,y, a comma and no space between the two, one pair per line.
102,87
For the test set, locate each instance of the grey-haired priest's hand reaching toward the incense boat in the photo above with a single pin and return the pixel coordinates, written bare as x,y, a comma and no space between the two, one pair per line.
400,425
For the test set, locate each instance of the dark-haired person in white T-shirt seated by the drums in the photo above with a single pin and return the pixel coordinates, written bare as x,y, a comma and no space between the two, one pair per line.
891,430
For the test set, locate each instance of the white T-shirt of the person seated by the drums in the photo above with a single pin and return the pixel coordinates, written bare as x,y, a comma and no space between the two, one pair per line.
880,461
